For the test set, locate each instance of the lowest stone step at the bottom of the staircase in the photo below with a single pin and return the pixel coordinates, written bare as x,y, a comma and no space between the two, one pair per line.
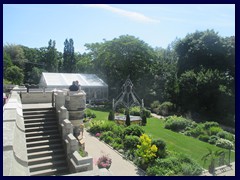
62,170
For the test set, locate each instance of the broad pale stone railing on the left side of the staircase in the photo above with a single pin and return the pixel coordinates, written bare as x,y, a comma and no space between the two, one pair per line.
14,142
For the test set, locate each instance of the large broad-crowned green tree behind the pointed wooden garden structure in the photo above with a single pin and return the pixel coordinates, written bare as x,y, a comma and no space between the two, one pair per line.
116,59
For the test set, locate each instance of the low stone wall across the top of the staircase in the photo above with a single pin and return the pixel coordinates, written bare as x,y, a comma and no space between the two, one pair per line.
36,97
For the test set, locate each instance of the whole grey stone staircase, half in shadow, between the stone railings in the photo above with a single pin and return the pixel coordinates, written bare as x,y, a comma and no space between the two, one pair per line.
45,151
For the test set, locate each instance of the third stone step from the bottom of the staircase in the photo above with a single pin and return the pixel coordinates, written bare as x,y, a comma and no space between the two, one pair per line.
46,159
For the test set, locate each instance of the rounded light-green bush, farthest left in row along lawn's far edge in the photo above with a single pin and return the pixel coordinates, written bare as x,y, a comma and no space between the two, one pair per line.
177,123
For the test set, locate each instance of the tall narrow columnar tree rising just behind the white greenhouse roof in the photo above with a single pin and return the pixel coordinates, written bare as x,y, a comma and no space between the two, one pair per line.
69,62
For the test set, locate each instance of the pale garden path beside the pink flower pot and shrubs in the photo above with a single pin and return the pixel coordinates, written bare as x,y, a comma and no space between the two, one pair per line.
119,167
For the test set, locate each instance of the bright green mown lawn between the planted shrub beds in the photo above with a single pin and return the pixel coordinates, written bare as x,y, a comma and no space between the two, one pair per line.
175,141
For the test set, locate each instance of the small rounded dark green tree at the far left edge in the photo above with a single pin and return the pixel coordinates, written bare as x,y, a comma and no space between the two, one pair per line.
14,74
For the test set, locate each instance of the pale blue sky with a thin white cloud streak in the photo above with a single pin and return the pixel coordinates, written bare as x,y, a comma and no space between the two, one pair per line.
156,24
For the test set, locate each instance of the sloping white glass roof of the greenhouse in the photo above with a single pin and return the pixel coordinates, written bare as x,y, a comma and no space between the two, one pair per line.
66,79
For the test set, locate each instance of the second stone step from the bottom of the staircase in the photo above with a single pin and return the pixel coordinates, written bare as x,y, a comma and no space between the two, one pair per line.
48,165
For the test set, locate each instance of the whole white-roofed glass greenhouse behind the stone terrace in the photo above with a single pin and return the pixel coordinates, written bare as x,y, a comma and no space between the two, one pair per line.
95,88
